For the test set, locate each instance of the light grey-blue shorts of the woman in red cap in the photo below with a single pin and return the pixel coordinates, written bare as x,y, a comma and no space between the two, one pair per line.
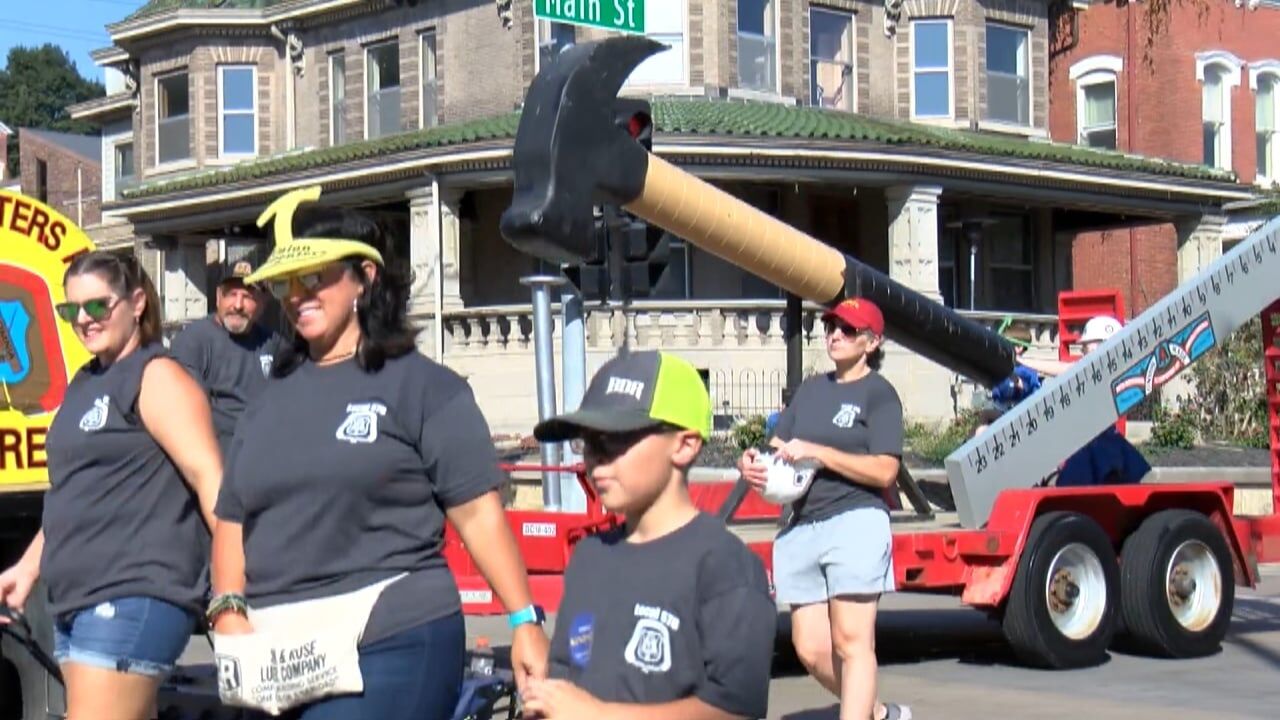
849,554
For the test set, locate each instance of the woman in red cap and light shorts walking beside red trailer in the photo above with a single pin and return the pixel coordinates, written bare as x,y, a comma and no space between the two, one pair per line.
836,557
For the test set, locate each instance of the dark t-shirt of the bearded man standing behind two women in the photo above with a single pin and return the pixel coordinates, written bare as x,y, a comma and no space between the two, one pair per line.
231,368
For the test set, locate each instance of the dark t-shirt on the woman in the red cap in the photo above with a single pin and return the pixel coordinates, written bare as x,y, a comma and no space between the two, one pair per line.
863,417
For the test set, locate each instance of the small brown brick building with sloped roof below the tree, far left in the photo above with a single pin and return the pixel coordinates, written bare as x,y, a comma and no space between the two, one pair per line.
63,171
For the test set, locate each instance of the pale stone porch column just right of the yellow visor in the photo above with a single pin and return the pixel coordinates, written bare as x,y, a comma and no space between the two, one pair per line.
427,241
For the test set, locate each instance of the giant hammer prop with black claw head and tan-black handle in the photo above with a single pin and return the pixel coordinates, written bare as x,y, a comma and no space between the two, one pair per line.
570,156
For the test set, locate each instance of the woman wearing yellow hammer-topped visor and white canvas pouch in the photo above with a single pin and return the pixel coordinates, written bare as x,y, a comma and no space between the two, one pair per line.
344,471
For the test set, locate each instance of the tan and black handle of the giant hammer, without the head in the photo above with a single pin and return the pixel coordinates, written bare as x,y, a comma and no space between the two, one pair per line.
737,233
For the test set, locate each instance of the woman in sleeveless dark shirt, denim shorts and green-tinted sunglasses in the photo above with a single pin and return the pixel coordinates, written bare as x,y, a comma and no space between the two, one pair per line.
124,541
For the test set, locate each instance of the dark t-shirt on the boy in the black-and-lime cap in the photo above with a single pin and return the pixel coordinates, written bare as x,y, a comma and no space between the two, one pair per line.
685,616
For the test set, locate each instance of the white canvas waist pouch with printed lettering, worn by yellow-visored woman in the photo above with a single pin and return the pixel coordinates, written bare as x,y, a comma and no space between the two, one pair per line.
299,653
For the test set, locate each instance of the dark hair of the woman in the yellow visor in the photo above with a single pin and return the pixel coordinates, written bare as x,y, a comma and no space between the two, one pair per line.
382,309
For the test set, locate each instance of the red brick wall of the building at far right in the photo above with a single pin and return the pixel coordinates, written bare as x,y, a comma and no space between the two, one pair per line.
1158,115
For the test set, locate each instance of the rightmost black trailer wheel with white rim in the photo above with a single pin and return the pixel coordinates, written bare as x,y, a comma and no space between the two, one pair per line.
1178,585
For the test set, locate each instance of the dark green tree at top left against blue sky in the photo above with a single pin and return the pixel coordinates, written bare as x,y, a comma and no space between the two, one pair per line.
36,86
